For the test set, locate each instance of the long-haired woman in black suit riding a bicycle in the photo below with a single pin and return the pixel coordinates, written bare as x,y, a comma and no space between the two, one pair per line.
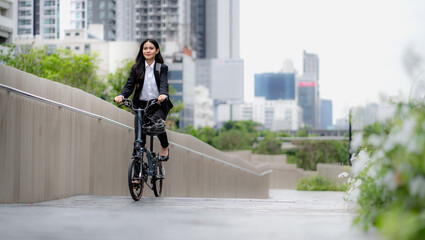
149,75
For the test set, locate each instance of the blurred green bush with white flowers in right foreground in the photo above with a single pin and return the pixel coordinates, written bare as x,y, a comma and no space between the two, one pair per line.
389,175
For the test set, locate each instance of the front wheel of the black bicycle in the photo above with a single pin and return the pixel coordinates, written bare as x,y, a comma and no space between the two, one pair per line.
135,180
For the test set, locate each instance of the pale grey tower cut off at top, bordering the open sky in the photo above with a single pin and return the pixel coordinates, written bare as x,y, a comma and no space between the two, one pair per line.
222,29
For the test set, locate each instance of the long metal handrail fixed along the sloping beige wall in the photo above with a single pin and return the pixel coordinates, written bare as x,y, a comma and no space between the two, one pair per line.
77,110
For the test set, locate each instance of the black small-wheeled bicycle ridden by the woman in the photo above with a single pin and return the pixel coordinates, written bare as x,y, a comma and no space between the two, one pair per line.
145,166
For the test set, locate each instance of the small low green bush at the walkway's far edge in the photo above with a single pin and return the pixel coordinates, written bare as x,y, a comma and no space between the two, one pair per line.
319,183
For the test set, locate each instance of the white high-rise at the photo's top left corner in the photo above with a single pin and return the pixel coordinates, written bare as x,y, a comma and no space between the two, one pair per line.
6,20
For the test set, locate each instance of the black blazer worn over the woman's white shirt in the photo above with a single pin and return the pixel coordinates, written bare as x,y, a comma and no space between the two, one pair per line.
161,82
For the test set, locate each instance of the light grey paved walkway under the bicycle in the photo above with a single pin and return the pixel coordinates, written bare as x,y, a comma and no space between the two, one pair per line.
288,214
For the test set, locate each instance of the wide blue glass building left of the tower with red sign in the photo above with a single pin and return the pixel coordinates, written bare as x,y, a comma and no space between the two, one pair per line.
275,86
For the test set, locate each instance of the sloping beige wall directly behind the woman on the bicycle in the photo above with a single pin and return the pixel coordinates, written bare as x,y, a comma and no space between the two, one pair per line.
49,152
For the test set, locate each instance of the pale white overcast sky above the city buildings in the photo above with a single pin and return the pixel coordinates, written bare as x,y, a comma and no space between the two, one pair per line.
360,43
